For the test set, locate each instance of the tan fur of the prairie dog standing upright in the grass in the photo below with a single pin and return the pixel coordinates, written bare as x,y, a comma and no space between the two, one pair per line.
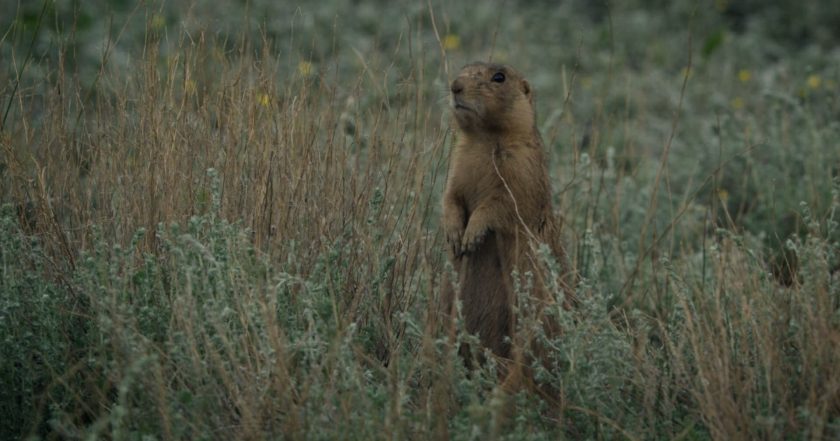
497,204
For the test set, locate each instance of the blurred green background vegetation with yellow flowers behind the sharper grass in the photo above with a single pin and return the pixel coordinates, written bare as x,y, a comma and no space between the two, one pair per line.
621,64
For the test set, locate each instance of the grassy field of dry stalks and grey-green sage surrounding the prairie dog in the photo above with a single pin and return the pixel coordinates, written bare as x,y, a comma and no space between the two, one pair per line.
221,221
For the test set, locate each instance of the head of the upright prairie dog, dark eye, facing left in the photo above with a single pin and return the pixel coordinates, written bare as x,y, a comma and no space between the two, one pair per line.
492,98
